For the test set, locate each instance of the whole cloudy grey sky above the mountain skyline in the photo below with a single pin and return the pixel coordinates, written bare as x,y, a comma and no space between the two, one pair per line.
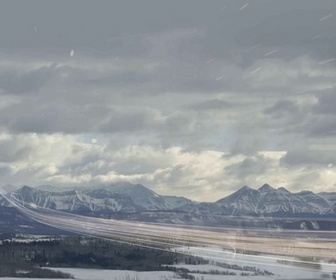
192,98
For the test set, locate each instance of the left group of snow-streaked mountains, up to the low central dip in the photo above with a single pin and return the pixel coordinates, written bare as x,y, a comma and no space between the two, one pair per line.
119,197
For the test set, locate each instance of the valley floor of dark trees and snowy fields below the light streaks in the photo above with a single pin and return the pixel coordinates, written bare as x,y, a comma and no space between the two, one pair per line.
183,262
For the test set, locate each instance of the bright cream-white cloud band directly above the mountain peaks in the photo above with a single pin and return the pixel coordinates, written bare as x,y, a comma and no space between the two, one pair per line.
202,175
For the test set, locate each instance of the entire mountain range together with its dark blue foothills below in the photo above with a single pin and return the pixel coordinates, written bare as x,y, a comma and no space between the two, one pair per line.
136,202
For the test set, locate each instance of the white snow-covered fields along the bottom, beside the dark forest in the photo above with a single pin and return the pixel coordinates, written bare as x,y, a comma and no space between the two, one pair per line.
222,265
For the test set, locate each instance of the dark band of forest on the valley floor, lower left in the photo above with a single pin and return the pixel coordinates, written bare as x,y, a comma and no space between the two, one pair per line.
90,253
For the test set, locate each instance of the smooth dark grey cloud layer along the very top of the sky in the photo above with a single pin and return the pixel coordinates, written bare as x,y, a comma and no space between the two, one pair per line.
117,28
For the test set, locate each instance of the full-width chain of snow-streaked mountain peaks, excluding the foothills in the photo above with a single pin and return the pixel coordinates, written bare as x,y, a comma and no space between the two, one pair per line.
130,198
